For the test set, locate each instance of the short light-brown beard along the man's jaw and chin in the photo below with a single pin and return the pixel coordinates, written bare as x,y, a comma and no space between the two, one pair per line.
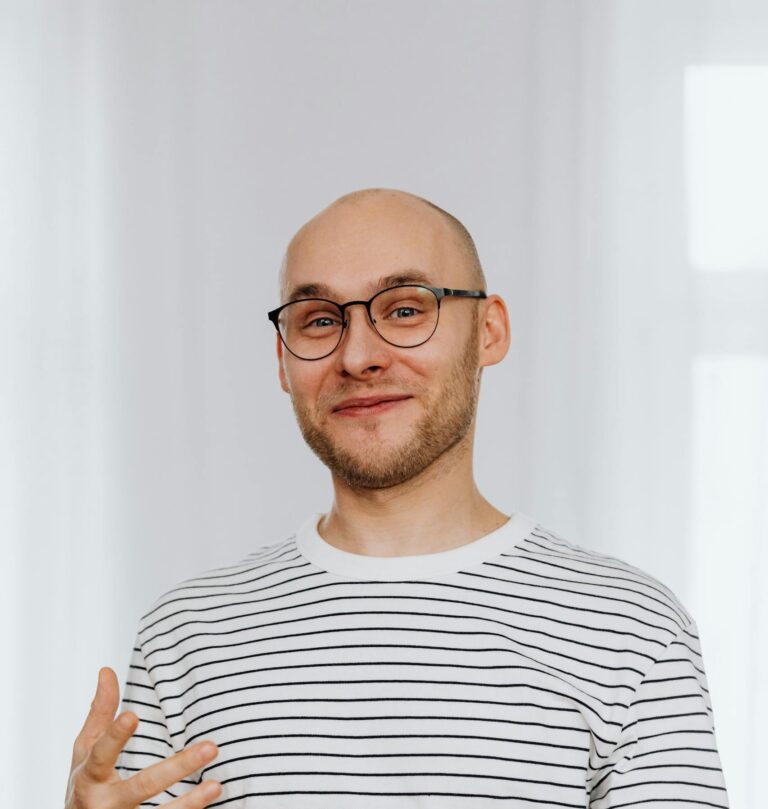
447,421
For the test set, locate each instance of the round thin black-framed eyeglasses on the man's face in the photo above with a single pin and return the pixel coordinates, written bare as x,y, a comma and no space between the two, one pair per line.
404,316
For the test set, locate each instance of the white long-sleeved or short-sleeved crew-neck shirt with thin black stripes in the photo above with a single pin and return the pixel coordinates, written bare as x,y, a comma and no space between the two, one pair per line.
518,668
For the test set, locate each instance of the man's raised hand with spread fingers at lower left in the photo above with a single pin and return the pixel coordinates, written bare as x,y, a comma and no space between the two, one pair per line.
94,783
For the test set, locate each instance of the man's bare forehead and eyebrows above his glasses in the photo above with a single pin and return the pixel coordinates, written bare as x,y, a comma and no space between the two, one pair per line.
352,251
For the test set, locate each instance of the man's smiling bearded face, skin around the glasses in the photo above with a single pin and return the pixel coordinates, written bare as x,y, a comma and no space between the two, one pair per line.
349,248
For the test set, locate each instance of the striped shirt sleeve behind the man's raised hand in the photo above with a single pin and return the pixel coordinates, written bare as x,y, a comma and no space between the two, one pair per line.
151,742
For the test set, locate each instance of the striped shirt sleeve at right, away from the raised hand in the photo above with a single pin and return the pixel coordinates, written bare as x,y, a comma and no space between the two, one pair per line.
666,756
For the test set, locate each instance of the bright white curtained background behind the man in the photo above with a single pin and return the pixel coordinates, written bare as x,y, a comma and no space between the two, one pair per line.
155,158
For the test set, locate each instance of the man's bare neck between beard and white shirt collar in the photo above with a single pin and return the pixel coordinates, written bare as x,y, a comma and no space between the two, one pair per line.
439,509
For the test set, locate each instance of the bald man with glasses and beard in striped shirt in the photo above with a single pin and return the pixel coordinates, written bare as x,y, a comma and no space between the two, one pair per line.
415,646
